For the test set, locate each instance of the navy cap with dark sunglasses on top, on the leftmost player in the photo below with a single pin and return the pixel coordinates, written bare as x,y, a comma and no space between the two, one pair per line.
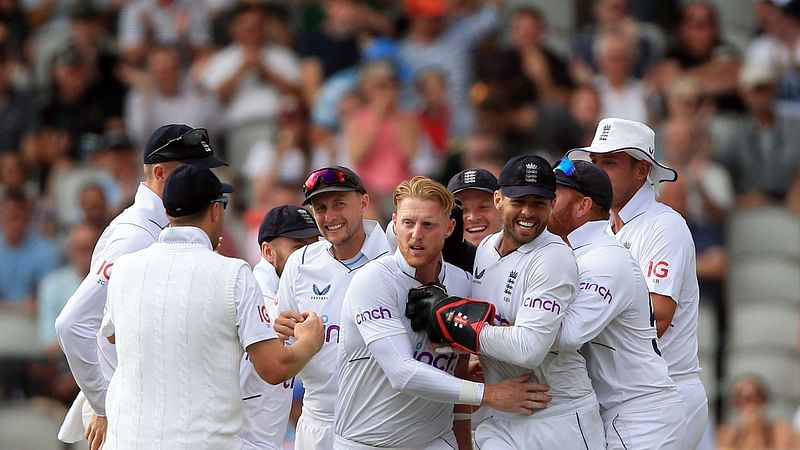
176,142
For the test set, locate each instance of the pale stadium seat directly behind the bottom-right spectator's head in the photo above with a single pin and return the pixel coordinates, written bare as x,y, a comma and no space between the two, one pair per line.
781,372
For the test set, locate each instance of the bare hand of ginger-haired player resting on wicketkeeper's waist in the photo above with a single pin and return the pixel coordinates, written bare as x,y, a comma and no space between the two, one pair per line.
516,395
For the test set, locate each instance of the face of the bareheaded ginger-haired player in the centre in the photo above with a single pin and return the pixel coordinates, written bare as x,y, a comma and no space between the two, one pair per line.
421,227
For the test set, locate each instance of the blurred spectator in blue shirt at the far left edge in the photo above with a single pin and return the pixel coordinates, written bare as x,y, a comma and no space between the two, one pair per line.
25,256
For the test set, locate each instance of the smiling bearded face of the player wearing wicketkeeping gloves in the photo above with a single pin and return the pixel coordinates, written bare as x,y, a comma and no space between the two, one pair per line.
524,219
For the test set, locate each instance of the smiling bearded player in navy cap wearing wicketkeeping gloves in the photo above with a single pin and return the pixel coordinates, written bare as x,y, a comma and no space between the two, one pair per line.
531,277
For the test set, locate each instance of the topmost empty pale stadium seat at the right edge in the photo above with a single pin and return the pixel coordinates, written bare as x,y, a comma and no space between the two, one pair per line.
769,231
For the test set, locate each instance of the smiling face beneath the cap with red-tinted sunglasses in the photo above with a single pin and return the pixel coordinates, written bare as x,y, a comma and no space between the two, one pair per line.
339,216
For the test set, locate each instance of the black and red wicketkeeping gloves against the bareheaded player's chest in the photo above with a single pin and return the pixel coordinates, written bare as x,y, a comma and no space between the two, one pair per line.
454,320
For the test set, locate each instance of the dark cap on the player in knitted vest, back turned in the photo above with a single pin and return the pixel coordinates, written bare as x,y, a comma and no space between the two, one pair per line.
190,189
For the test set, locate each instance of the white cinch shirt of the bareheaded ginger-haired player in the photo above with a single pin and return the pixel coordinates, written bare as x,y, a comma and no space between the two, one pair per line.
368,409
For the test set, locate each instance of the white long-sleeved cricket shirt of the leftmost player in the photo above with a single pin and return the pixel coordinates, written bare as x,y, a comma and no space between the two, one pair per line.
92,359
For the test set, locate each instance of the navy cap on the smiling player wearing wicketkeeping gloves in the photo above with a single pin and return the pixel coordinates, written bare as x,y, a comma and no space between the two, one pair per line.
528,175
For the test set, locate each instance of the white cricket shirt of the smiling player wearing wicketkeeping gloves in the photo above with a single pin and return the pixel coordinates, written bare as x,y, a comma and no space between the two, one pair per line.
531,287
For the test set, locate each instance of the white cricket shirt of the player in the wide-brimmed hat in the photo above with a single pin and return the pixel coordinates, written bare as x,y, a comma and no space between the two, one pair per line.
662,245
